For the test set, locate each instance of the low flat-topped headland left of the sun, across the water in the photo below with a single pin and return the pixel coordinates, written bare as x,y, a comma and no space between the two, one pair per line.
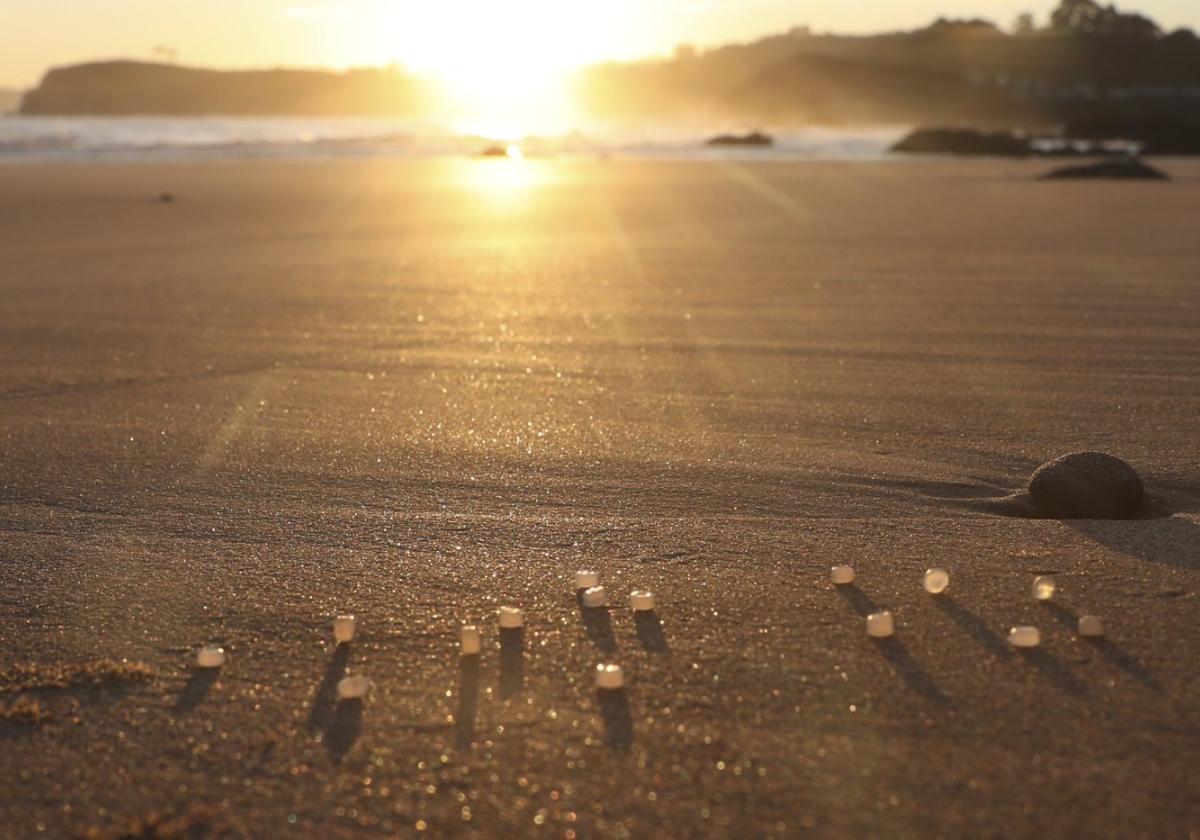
139,88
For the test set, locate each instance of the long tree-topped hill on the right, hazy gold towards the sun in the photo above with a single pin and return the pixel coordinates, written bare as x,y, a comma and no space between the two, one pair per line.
1087,61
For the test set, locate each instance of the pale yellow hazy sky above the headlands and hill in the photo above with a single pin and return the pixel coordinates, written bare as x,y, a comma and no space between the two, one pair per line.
430,34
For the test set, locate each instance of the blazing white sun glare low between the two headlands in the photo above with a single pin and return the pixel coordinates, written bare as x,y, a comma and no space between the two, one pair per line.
503,67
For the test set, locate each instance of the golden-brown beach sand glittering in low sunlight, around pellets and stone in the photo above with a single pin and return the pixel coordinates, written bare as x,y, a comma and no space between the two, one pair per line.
421,391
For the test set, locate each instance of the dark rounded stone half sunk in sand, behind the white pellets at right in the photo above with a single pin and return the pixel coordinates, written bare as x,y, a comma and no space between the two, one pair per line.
1087,487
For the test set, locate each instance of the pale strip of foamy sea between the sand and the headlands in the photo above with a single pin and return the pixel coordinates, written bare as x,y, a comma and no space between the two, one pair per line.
153,139
